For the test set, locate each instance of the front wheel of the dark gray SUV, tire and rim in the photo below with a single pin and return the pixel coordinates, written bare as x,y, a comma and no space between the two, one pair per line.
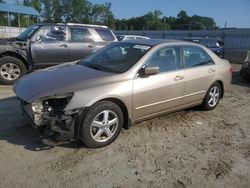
11,69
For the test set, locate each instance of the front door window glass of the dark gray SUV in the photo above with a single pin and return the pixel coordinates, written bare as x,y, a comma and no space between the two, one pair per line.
51,33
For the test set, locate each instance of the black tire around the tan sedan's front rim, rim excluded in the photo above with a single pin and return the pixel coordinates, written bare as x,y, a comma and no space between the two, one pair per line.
87,119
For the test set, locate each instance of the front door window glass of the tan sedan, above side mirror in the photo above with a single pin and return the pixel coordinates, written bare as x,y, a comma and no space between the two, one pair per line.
167,59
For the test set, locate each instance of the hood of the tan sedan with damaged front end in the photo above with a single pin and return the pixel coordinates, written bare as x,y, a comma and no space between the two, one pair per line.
65,78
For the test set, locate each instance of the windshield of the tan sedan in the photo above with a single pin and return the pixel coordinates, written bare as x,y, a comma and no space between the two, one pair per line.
117,57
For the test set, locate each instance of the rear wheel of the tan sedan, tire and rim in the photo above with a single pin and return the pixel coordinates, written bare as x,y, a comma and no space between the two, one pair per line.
212,97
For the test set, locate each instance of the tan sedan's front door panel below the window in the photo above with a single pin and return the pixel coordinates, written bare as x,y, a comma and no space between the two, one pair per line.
157,93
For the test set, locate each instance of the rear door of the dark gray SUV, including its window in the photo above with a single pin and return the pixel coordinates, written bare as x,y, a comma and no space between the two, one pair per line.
81,42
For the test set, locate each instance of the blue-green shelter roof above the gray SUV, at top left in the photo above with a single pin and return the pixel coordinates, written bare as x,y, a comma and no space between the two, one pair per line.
4,7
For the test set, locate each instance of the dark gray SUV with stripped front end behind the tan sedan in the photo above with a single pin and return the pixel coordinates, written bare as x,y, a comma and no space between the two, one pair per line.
43,45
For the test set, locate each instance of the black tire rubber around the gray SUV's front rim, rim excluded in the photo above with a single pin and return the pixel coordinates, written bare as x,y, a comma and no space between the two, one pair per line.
17,62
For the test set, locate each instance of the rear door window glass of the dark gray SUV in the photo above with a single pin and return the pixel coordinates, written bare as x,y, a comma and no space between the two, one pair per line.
79,34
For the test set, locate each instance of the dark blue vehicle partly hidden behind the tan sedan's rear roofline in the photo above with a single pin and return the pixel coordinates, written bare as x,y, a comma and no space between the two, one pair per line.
214,44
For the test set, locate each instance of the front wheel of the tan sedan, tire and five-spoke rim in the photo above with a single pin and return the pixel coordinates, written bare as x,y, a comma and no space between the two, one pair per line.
95,130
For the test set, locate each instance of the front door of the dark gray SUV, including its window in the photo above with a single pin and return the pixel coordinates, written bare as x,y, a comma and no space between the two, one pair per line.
50,46
